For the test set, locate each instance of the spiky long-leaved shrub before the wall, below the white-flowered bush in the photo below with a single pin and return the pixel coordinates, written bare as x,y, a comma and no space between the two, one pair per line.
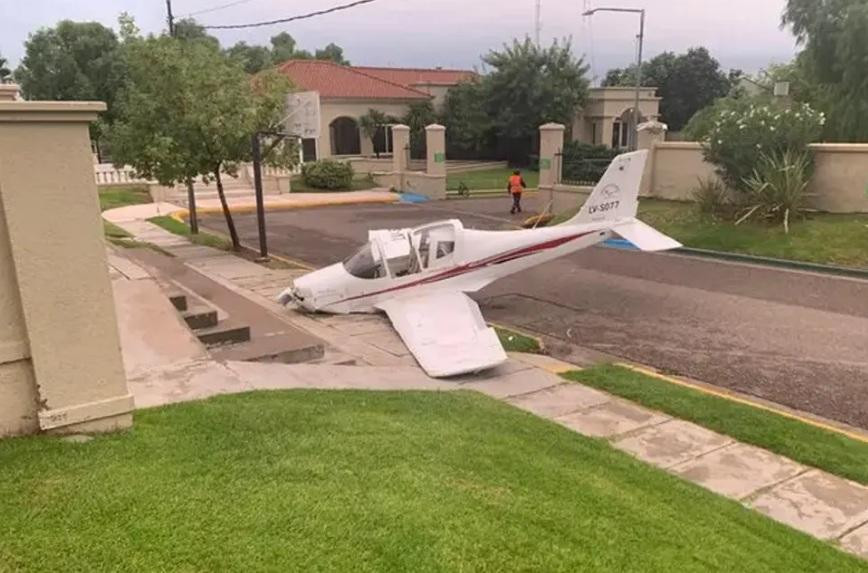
776,189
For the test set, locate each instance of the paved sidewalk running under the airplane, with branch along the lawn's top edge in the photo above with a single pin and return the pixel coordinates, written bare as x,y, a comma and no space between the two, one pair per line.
813,501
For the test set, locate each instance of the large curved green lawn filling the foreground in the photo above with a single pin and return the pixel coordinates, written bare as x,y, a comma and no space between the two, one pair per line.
355,481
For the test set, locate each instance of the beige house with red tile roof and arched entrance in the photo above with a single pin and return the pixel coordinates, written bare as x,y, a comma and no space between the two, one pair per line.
346,93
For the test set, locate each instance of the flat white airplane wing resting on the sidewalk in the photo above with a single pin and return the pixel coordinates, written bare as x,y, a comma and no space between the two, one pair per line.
445,332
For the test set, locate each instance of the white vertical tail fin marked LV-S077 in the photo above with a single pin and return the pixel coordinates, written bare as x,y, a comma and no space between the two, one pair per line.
616,196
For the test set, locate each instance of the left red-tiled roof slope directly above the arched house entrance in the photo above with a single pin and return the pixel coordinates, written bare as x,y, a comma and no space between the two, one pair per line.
333,80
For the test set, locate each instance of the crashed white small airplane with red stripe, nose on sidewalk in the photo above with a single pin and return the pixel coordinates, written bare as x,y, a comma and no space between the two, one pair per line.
420,277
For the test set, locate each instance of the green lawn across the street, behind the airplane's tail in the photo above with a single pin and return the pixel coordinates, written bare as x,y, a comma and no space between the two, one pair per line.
821,238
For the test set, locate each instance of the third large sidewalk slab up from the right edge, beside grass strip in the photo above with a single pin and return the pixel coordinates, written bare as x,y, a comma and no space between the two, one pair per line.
671,443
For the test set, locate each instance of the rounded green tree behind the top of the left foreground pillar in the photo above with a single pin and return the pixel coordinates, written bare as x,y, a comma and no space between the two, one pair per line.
73,61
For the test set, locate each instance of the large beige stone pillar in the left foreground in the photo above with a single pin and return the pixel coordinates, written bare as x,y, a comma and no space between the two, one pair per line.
60,360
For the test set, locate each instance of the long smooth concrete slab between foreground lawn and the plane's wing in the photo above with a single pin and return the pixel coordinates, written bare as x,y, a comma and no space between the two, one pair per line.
261,376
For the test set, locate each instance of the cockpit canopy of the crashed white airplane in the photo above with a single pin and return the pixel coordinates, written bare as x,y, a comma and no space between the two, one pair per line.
403,252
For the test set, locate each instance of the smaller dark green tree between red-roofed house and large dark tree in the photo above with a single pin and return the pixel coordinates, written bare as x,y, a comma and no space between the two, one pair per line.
469,127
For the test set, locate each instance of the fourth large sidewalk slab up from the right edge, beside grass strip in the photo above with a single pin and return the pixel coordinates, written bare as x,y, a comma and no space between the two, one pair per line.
611,418
